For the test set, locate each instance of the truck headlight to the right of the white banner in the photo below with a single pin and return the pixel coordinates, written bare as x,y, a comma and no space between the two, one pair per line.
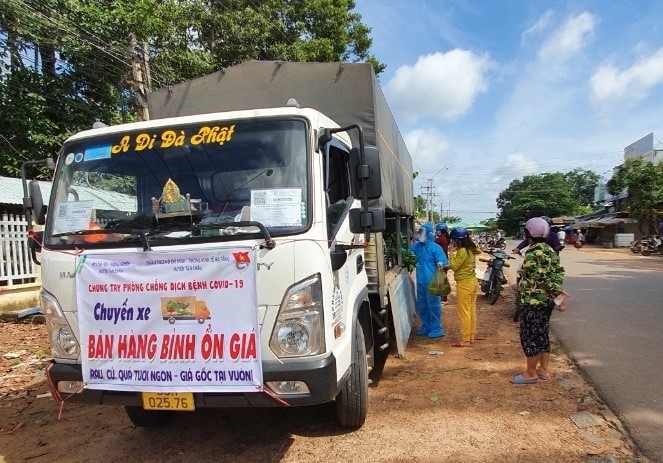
299,327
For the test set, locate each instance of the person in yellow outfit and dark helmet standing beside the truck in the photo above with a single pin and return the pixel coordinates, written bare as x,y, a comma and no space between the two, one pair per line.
462,260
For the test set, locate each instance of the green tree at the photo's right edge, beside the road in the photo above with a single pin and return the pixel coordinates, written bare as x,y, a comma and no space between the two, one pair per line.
644,182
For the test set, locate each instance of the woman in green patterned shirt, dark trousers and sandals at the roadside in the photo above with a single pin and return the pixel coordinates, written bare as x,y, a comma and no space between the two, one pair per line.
540,279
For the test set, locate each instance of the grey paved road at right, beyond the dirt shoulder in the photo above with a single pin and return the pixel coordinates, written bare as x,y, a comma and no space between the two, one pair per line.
613,328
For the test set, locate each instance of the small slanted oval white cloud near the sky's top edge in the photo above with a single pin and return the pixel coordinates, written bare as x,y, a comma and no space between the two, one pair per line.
569,38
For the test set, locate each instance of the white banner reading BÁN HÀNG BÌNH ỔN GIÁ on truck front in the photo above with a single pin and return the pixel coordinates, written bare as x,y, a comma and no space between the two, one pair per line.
170,322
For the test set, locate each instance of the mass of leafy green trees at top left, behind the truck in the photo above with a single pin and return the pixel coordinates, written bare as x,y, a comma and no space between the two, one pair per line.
69,62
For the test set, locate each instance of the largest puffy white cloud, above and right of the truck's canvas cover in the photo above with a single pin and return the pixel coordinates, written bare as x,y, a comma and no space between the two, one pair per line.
440,85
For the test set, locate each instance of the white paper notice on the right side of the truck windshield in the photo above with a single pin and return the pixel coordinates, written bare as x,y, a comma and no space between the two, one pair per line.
277,207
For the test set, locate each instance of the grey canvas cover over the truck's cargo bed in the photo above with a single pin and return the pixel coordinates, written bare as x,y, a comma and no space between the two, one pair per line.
347,93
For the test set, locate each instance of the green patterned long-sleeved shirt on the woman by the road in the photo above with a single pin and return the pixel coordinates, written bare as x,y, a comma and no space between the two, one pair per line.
540,276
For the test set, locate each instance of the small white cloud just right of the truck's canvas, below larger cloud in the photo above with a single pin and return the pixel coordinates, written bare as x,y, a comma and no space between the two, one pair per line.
429,150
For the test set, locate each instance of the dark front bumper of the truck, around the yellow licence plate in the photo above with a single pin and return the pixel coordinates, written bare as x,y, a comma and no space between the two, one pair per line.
319,375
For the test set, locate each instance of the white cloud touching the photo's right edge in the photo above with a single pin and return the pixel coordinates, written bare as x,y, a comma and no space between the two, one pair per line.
609,83
